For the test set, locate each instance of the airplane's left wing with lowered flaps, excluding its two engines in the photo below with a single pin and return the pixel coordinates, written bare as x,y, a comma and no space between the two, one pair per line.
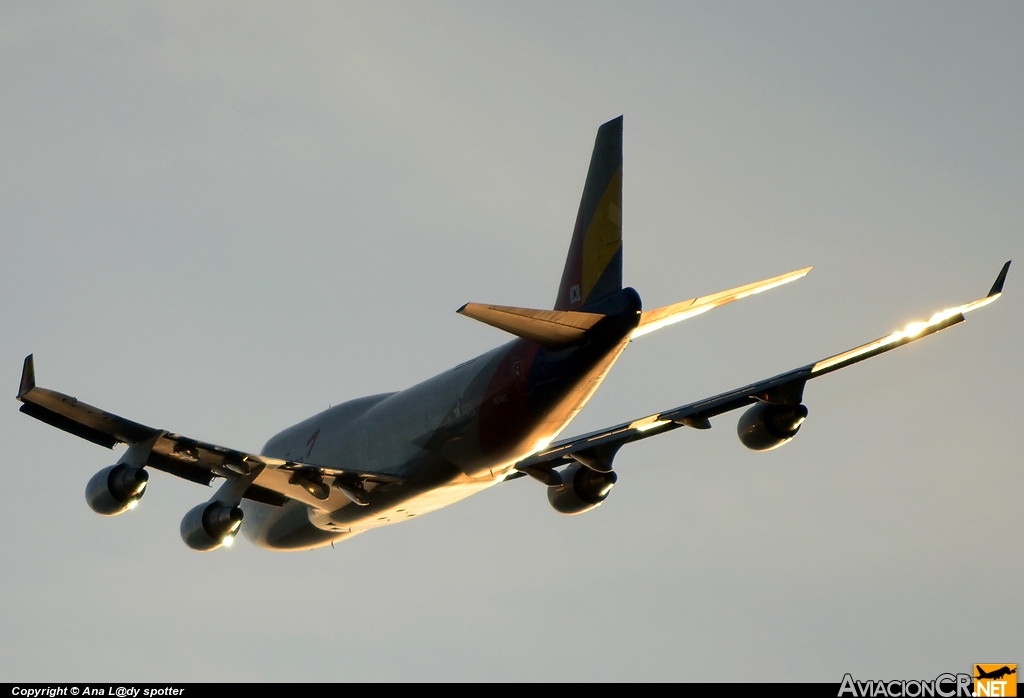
191,459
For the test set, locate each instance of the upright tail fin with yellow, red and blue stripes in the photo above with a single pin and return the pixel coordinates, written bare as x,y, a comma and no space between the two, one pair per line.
594,266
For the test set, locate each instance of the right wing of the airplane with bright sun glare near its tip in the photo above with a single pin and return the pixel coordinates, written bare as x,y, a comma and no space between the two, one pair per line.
598,449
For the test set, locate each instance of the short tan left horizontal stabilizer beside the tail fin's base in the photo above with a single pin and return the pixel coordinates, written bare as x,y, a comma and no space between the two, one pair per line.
550,328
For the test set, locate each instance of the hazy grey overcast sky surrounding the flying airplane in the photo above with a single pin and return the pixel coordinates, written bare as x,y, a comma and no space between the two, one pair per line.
220,220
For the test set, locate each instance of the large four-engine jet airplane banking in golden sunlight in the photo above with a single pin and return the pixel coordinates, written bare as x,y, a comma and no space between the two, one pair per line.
386,459
